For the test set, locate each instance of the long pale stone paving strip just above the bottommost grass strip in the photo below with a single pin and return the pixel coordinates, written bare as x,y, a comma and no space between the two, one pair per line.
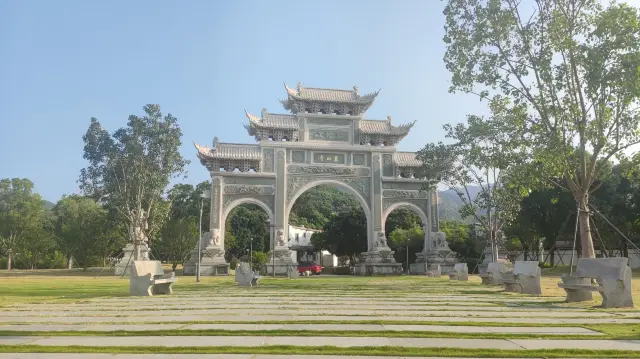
307,341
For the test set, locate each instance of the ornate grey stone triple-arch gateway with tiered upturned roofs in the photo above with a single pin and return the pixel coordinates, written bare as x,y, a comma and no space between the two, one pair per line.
324,140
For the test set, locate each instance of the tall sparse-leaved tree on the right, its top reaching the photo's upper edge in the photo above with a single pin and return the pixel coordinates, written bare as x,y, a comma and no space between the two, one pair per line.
568,72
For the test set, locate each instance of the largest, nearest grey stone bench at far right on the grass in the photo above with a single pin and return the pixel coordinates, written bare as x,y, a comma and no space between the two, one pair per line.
613,276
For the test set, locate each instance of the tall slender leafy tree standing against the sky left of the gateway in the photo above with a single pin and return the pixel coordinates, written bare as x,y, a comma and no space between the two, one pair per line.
130,169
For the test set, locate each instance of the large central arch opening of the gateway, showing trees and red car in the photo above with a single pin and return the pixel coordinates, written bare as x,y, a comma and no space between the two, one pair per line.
328,227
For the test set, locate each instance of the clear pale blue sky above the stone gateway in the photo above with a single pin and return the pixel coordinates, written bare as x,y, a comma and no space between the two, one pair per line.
63,62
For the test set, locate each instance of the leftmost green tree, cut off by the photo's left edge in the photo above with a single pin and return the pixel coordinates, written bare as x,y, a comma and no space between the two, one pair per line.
22,215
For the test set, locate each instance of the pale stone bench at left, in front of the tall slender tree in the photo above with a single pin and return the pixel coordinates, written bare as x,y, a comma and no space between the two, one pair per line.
148,278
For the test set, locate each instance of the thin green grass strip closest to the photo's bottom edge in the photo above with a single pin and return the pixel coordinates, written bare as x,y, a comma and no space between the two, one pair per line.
328,350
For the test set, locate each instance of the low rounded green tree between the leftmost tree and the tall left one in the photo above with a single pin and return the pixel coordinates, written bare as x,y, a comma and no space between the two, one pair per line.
79,227
